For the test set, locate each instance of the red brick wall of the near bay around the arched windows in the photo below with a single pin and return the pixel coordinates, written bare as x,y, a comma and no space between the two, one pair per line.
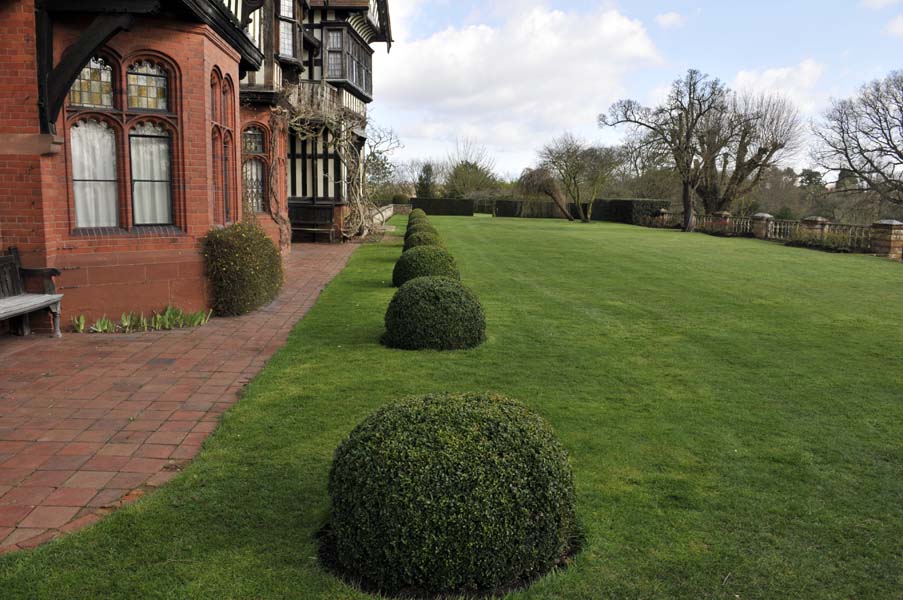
122,271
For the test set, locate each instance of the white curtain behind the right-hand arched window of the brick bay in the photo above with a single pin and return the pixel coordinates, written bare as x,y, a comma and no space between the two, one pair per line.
151,177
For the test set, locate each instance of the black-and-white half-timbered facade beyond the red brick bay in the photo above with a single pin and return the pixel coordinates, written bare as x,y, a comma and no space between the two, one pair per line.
318,60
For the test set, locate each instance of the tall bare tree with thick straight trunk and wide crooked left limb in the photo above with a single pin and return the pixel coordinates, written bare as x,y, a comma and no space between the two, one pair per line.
676,125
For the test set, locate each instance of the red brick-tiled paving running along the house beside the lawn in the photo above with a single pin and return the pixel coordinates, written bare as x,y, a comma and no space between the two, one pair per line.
89,422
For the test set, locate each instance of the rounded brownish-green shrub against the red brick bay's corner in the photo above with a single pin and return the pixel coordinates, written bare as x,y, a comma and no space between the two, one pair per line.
244,267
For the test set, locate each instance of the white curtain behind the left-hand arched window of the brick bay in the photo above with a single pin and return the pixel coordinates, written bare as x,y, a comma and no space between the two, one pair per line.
94,174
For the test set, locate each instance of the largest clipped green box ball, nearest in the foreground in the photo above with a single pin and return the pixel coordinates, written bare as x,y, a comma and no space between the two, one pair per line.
451,494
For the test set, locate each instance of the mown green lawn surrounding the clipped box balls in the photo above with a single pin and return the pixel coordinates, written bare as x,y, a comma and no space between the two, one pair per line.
733,409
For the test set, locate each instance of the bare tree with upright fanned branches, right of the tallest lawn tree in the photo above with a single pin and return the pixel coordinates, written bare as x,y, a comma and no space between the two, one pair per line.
739,145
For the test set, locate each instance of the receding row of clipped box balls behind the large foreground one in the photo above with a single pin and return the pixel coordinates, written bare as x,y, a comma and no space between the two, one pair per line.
431,309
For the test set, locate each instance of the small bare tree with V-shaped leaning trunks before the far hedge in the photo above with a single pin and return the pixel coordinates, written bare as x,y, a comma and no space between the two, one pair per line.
580,169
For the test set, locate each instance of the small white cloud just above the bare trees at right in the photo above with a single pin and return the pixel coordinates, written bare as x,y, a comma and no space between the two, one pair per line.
800,83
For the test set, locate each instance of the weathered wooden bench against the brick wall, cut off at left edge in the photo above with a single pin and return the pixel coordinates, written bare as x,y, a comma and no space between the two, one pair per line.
16,303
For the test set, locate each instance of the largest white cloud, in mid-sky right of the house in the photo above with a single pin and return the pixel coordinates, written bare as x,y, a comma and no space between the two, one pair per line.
514,85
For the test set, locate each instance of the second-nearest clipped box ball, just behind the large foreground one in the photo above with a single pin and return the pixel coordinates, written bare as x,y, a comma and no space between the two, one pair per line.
435,313
